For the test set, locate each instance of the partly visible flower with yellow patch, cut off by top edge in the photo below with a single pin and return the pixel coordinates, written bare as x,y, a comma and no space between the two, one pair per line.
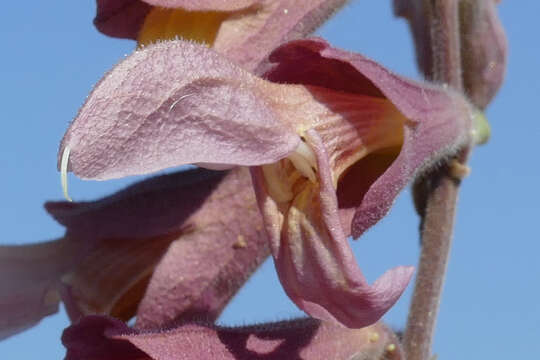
244,30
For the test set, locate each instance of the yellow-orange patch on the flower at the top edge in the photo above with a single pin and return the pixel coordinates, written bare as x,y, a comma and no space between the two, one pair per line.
168,24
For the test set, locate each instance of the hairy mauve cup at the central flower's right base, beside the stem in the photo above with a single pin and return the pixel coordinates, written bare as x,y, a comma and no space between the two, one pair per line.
438,121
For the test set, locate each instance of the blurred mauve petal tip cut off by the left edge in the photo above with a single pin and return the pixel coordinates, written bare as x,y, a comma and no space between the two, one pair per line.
29,275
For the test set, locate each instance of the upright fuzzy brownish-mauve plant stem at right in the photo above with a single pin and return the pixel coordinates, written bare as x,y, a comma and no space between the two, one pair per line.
439,195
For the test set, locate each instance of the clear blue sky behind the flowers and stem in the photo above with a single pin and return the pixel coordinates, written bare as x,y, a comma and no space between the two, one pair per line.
52,56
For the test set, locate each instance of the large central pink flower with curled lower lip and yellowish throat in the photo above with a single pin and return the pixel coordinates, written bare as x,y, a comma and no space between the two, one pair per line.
331,139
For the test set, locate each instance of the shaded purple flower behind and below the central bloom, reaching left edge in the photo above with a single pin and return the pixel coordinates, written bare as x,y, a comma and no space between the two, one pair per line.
162,249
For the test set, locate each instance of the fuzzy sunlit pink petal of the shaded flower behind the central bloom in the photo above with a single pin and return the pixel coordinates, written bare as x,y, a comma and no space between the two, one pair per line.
199,274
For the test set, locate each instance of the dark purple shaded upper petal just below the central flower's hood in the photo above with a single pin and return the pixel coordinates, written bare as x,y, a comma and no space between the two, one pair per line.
157,206
